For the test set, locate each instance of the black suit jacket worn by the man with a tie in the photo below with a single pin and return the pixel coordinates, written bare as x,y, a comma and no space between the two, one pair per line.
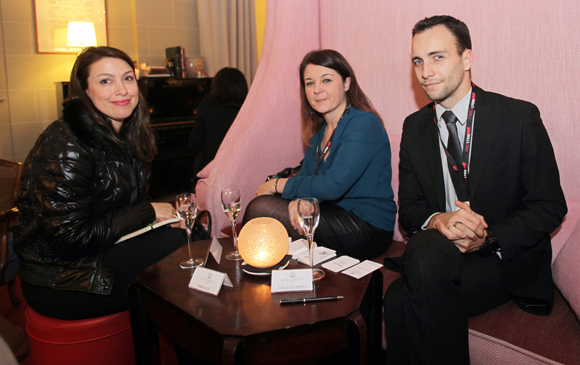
514,184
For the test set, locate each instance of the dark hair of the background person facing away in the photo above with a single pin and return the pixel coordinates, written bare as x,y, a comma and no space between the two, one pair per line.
229,87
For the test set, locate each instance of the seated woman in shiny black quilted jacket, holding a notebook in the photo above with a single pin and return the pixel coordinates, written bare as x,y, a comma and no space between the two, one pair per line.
84,186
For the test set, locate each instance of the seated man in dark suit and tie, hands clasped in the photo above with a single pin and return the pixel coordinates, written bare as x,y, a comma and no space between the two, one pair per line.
479,195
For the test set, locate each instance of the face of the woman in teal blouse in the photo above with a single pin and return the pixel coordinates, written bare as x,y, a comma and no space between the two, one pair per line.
325,90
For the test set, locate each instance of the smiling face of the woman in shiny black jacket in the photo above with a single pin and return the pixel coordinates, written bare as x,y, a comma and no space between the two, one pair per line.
113,89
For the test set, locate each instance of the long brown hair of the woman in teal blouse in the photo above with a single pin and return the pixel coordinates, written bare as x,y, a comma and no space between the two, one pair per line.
312,121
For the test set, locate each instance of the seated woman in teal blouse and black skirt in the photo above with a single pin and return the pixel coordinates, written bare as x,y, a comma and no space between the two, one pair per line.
351,179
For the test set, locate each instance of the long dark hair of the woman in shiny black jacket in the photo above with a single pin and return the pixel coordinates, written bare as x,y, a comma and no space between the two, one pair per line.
135,130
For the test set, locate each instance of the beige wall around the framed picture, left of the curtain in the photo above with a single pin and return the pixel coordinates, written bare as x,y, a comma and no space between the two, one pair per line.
142,28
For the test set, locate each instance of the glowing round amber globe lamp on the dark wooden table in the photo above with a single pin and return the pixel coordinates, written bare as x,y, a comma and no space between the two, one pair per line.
263,242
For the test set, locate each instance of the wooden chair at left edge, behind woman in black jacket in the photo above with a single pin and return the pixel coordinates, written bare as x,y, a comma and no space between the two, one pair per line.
9,184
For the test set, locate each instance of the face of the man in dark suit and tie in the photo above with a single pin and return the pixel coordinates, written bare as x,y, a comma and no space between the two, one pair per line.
441,71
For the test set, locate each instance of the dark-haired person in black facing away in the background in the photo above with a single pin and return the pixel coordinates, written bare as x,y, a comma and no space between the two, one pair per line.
216,114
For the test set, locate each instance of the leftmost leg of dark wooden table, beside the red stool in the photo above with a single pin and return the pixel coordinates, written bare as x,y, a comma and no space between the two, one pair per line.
145,332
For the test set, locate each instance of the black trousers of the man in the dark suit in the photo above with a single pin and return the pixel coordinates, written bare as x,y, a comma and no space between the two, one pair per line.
426,310
